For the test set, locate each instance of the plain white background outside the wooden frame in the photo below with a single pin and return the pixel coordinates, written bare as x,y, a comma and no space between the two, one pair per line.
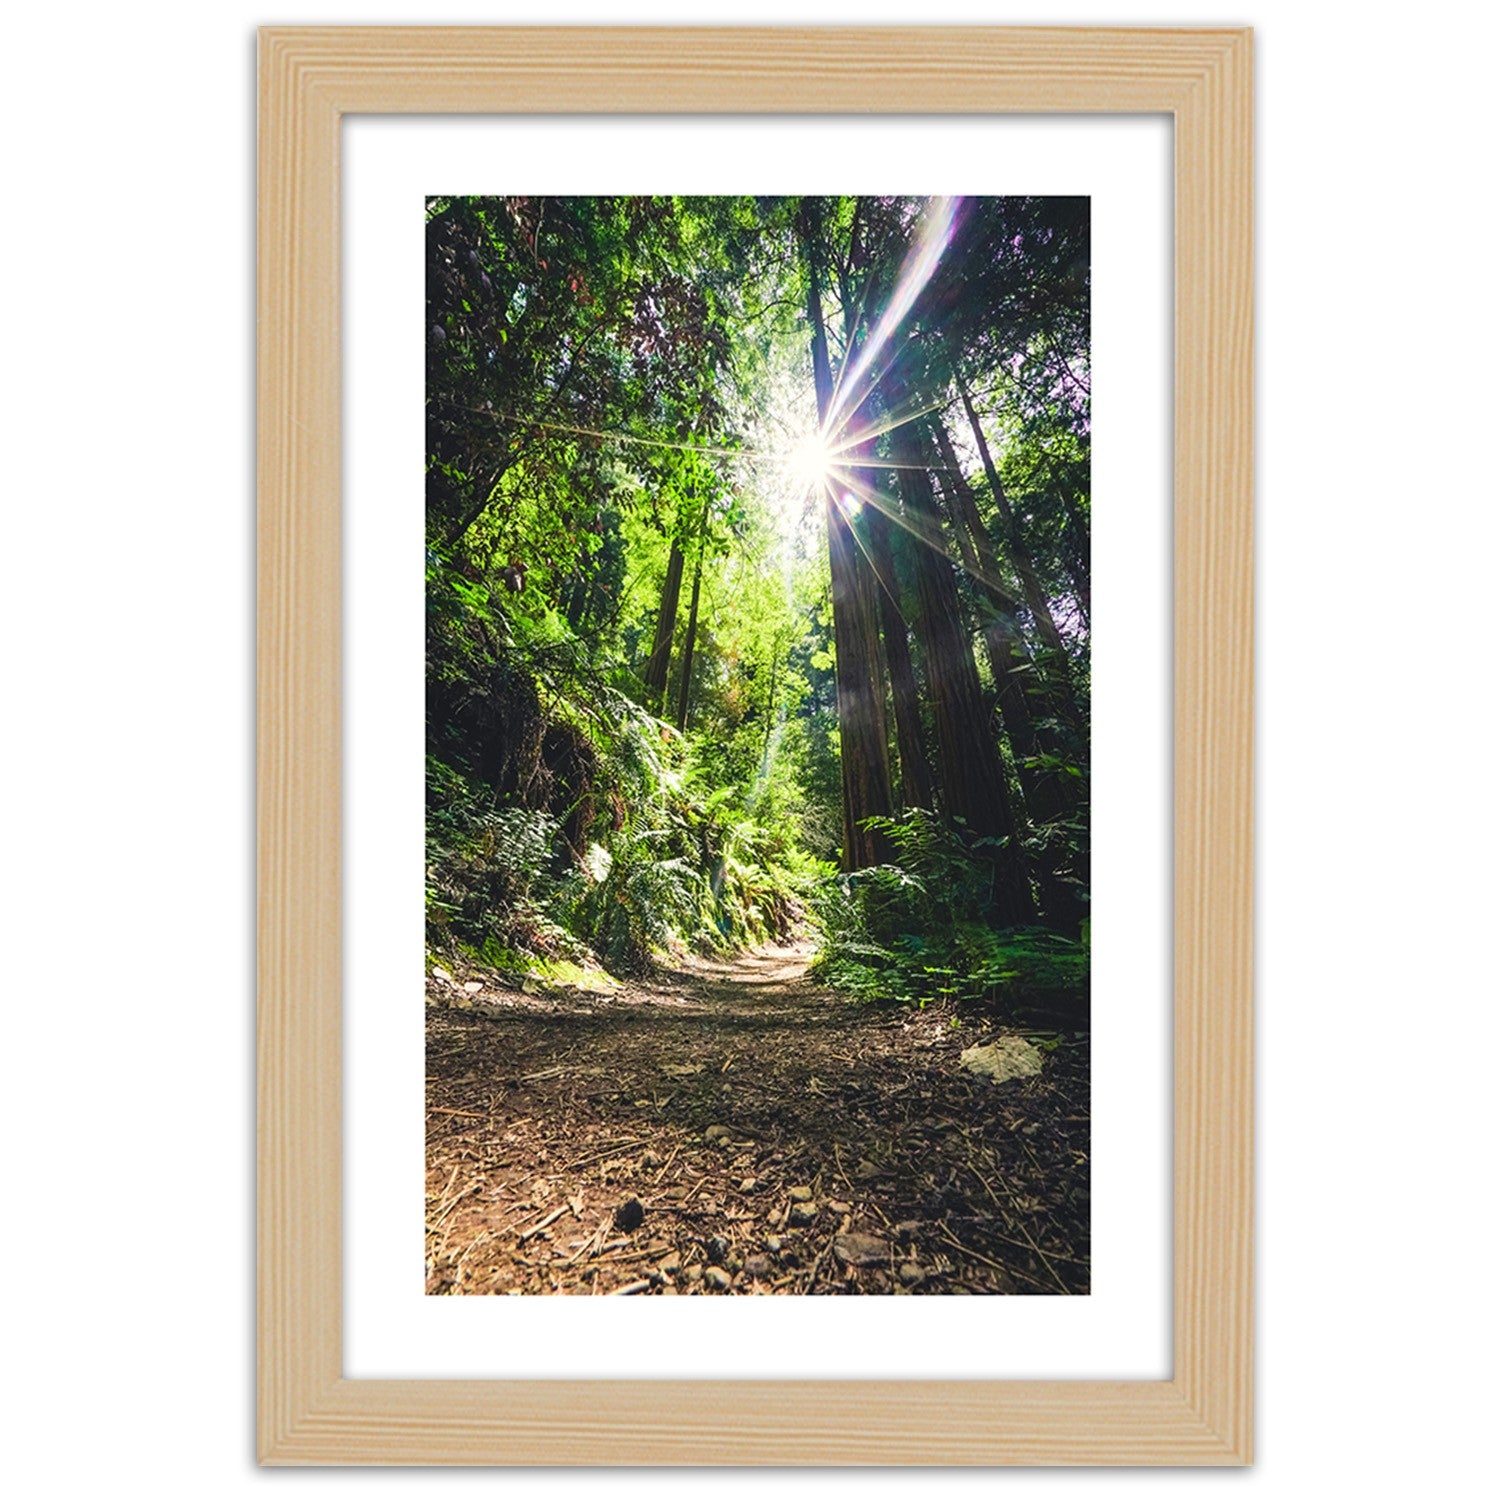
127,625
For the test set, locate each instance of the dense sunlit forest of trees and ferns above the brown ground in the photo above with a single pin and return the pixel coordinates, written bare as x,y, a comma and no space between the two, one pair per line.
758,605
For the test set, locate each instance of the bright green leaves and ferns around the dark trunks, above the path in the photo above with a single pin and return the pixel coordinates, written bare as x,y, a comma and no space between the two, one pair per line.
608,383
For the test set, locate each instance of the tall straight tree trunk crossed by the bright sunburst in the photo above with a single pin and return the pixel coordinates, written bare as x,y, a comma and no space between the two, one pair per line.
857,638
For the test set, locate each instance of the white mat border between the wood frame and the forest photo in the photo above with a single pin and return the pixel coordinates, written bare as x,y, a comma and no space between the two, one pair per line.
1123,1330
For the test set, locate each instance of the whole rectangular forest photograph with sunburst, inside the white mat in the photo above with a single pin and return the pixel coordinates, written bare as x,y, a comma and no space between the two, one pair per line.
758,746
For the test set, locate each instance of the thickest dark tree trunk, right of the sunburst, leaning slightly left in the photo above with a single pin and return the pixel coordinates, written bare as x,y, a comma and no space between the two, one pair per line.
968,761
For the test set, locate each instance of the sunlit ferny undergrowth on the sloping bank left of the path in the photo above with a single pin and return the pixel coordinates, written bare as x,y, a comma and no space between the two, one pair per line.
583,830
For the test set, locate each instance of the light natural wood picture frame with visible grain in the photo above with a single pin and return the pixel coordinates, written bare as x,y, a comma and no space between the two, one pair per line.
310,1414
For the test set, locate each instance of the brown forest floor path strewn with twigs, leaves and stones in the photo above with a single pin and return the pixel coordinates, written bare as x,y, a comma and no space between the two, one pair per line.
733,1127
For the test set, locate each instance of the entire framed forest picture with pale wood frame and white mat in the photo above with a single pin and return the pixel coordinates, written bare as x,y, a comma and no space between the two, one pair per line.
881,446
